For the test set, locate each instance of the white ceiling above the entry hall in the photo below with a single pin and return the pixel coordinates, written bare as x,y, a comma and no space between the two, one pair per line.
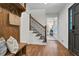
51,8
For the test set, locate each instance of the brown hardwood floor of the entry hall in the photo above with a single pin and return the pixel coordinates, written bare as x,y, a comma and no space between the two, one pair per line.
53,48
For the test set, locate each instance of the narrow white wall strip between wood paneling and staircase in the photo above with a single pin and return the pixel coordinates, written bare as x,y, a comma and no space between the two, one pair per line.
24,28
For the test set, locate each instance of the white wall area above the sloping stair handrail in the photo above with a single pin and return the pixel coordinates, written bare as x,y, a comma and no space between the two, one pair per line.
39,15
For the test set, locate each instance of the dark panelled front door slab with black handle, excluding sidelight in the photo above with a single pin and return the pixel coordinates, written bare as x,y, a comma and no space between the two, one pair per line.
76,28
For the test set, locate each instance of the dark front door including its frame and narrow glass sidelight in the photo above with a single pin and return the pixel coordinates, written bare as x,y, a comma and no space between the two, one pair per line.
74,28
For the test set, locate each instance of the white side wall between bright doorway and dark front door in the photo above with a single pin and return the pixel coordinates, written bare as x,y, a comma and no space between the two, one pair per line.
63,26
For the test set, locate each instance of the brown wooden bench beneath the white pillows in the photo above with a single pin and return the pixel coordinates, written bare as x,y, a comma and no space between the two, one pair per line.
20,52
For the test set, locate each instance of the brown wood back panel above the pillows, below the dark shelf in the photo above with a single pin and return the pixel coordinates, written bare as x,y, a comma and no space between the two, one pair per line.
8,30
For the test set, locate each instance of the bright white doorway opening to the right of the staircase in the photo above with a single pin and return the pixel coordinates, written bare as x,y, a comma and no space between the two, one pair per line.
52,28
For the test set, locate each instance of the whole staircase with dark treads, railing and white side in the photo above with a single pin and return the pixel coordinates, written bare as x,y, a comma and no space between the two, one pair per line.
37,32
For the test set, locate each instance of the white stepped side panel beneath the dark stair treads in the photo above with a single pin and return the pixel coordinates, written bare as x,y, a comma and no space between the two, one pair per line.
35,39
